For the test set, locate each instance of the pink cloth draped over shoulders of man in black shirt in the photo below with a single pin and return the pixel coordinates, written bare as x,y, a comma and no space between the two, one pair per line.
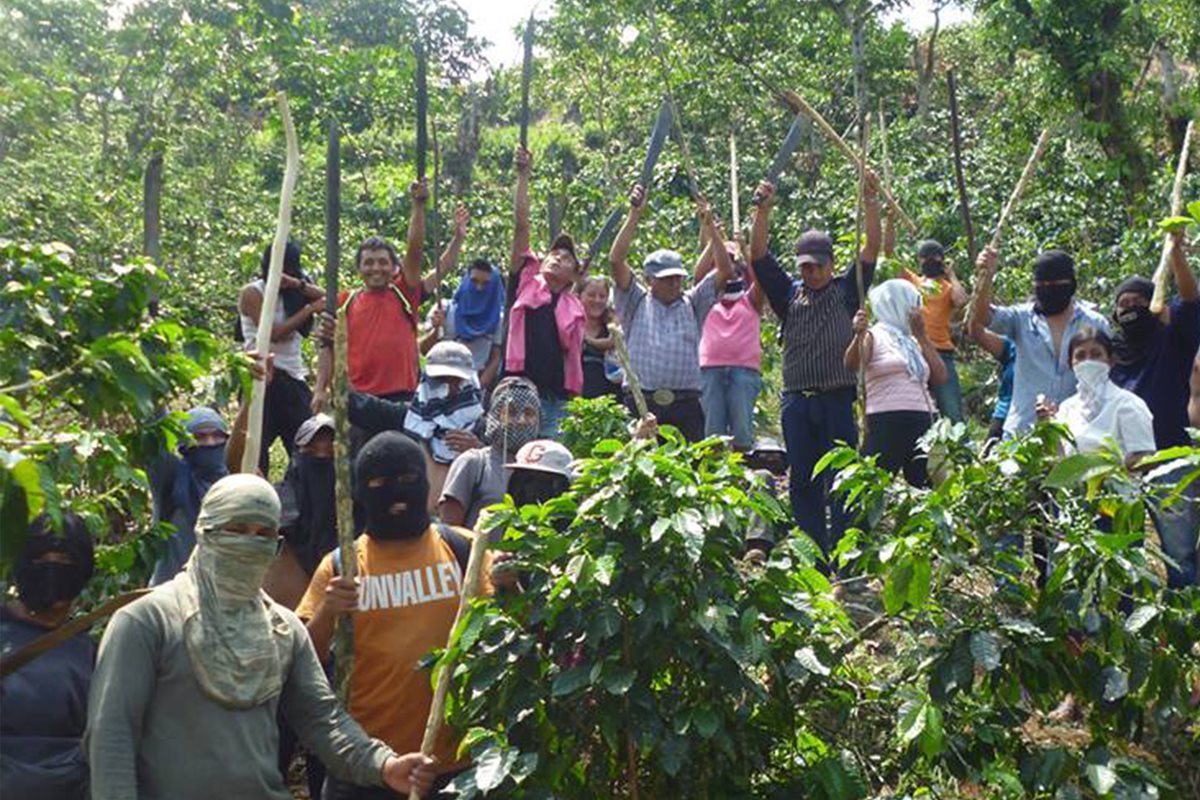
533,293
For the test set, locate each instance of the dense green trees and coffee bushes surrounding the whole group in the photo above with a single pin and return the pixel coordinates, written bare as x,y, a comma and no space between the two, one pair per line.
141,158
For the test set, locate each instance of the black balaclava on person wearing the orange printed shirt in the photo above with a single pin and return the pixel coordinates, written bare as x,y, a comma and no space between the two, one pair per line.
401,464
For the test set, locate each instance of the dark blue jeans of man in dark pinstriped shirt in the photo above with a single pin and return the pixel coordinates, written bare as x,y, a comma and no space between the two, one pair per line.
812,425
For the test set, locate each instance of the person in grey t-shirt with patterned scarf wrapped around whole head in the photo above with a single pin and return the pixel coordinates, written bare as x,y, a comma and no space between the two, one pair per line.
477,478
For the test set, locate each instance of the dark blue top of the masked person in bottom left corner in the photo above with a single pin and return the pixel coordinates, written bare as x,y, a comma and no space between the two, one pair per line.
44,711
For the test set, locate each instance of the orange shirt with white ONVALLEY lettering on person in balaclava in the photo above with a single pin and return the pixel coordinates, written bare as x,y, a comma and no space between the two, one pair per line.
409,596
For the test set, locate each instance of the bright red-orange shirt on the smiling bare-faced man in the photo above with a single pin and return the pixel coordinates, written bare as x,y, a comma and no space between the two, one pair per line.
382,340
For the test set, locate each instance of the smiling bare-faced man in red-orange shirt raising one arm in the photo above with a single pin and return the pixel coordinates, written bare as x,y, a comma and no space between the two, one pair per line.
382,316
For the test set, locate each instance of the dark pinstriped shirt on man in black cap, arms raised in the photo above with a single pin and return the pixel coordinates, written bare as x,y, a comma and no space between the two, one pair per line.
815,324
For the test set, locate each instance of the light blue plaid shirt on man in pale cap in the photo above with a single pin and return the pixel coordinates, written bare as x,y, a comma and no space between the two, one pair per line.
664,341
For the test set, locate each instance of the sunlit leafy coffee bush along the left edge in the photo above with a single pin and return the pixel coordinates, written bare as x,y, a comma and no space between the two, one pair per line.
85,384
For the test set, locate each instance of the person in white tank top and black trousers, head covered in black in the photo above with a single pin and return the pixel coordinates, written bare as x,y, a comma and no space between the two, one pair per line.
289,399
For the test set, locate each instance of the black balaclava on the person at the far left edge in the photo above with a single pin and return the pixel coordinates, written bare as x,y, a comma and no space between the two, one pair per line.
41,585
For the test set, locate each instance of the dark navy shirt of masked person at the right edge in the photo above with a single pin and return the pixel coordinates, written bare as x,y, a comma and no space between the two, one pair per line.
1162,378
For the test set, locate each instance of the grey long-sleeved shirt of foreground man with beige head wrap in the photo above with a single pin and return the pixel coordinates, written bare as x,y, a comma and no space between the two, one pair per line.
154,733
